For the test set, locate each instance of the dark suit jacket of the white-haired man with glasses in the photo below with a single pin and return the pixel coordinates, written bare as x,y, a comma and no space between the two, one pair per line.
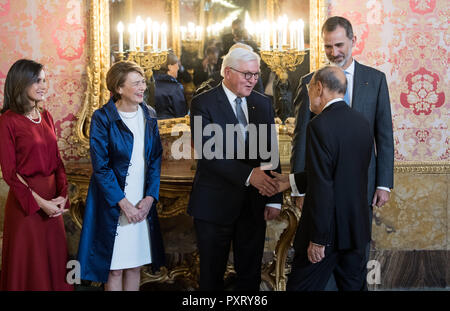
219,192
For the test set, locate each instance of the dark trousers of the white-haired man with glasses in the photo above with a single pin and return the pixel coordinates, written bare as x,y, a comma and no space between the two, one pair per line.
247,236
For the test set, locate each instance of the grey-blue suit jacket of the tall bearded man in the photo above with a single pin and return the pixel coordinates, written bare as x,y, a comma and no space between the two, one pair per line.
371,98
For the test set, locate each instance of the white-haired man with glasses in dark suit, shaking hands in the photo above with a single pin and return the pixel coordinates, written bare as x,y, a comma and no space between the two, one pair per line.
227,200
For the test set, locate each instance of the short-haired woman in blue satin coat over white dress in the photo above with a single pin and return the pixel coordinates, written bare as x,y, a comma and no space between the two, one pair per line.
121,230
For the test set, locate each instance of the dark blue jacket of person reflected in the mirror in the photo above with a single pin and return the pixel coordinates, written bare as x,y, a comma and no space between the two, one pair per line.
169,97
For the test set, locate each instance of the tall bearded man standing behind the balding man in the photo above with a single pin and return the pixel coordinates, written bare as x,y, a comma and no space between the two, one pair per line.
367,93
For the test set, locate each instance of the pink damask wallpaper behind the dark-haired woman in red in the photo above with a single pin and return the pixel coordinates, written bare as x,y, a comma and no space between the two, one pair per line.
54,33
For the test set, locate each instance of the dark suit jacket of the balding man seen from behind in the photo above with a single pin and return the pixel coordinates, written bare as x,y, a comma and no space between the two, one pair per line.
339,146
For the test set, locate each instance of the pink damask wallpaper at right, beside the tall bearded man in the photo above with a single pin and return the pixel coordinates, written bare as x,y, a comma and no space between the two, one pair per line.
409,41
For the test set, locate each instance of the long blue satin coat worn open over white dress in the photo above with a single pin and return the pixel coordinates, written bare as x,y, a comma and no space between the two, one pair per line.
111,145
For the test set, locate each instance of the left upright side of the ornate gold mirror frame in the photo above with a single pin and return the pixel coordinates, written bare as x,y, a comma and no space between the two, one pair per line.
96,94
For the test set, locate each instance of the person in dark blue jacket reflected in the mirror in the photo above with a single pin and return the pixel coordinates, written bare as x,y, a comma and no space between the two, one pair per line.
169,93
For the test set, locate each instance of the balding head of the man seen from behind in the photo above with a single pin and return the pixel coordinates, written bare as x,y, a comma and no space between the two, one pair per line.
332,78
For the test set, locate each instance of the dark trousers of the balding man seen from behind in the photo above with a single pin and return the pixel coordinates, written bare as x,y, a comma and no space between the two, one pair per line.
347,266
